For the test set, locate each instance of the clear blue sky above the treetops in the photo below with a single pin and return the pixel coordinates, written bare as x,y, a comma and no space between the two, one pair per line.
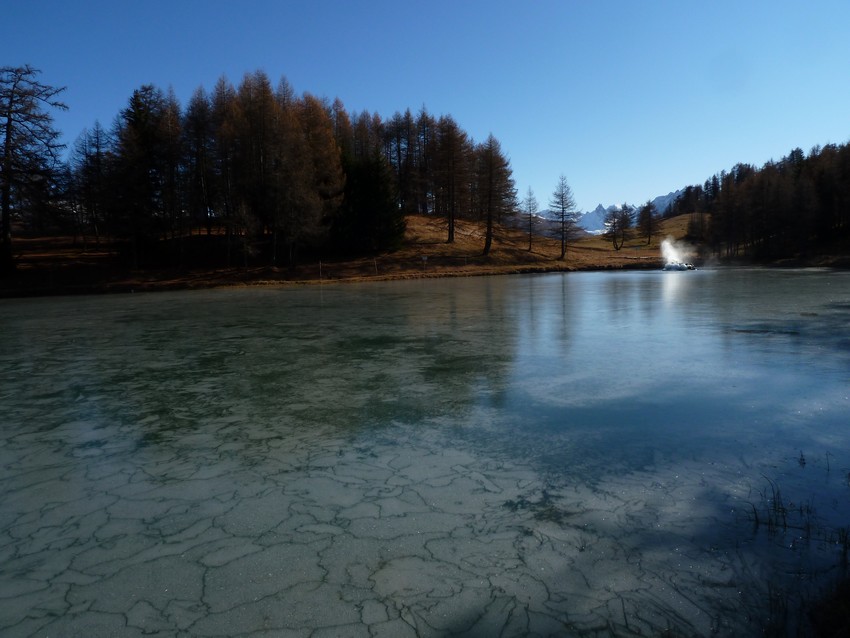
628,99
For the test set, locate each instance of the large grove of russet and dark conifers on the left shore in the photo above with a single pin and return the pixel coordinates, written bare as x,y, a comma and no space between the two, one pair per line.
264,174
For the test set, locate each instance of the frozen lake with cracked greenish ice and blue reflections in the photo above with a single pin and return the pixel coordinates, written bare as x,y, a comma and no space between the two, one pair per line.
585,454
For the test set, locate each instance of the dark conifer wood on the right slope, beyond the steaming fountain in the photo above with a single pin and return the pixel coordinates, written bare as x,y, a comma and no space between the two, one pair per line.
783,209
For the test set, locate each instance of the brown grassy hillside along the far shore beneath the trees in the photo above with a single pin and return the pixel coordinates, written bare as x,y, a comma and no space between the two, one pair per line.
56,265
